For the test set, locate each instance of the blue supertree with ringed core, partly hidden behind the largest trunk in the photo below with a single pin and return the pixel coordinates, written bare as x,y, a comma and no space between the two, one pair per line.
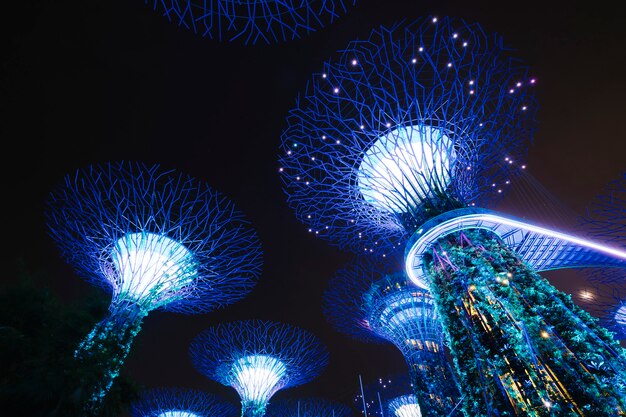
370,302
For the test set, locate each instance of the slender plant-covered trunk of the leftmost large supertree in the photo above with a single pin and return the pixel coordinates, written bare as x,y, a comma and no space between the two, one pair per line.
102,353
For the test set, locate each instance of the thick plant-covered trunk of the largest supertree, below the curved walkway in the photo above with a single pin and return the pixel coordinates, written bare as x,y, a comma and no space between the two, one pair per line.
520,346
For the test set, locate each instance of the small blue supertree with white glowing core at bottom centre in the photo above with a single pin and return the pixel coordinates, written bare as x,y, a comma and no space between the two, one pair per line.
258,358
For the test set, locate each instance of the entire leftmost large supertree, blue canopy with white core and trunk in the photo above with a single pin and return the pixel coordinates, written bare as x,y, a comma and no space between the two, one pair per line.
156,240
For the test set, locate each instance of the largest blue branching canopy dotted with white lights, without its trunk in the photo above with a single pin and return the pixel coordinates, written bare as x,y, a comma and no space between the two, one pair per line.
416,120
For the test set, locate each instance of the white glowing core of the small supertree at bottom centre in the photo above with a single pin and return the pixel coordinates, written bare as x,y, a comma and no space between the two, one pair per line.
257,377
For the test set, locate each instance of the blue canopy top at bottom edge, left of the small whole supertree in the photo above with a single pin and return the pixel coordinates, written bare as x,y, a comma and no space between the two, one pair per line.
180,402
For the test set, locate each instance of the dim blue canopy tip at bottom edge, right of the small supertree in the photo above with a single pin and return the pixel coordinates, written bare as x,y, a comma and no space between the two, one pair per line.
308,407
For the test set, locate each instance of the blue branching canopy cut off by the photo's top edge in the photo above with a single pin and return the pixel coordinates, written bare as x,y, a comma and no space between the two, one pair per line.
264,21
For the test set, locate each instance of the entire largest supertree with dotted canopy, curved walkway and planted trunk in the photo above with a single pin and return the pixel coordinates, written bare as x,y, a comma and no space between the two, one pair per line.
404,134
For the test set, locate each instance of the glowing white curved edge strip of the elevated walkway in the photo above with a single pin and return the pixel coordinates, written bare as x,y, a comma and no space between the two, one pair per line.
472,221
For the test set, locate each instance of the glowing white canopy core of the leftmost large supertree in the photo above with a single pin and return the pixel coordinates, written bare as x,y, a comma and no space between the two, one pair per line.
151,264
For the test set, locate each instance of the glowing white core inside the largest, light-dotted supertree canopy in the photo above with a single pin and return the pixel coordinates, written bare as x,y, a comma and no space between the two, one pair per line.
405,166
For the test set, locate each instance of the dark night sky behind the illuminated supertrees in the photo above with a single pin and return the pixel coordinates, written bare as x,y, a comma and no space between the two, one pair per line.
87,82
